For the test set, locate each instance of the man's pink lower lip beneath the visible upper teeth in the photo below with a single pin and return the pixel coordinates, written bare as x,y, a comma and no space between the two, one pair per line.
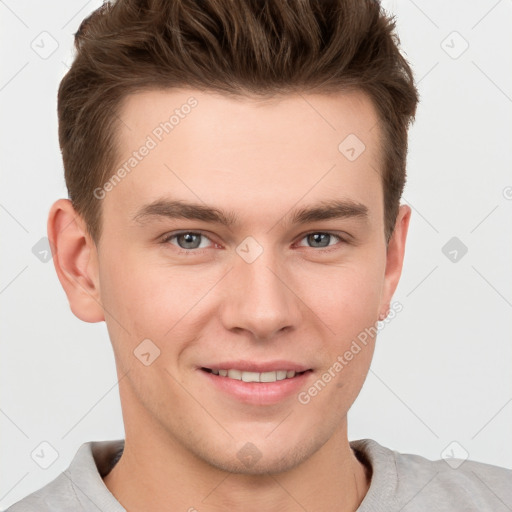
258,393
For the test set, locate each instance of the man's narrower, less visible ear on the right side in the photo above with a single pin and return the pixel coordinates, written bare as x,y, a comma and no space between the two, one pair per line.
395,258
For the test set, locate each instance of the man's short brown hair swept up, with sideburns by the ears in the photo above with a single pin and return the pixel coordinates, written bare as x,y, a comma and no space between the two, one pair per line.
235,47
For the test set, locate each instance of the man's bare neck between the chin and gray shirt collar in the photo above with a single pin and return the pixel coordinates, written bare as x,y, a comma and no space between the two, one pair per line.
162,475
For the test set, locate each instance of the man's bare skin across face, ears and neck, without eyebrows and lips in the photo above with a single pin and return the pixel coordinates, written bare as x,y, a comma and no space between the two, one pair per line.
297,302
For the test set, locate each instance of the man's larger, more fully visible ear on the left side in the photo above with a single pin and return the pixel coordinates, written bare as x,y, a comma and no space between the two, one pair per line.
76,261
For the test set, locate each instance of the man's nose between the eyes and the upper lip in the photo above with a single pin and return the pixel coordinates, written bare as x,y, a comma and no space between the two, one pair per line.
258,298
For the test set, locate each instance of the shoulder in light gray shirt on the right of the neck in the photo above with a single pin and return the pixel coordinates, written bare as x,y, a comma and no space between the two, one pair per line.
414,482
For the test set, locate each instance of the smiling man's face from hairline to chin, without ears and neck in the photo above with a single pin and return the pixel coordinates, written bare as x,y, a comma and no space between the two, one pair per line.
271,290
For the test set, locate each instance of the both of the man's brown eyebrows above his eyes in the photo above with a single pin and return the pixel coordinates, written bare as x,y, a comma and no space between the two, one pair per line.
175,209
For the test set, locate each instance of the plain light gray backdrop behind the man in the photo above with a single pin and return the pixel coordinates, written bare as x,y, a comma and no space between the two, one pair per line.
442,368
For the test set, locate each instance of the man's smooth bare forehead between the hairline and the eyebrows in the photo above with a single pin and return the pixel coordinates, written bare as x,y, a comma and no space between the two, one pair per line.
247,152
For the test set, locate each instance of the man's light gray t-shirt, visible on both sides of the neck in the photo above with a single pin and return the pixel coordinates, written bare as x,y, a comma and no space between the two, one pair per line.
399,482
